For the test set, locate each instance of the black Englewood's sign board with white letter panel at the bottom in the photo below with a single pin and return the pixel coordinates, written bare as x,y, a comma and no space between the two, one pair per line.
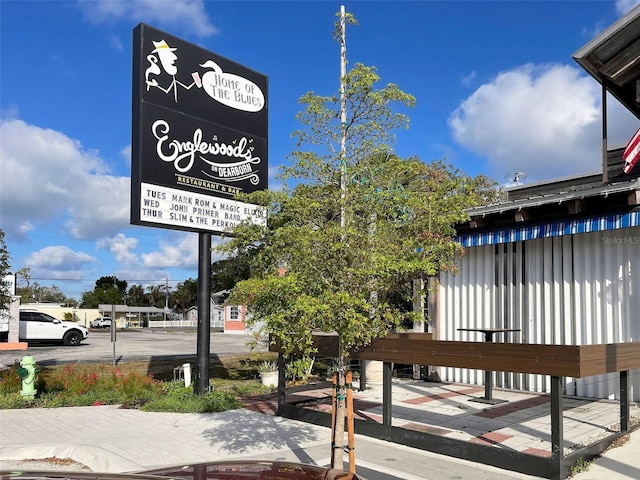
199,136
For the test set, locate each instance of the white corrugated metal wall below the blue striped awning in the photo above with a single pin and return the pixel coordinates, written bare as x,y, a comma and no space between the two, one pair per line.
579,289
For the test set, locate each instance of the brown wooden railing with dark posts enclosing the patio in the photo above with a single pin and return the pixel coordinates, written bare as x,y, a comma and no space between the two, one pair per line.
556,361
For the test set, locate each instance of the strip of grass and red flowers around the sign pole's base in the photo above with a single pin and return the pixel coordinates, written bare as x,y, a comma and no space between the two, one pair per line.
147,385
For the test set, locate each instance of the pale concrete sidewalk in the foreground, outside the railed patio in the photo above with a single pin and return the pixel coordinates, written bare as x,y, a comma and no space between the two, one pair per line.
107,438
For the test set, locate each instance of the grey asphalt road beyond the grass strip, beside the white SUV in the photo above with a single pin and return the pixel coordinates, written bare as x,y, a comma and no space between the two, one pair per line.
132,345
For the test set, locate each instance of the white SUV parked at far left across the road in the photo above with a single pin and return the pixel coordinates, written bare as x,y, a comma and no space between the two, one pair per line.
39,327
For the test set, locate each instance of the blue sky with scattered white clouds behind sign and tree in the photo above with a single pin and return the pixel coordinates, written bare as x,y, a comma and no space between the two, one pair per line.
497,92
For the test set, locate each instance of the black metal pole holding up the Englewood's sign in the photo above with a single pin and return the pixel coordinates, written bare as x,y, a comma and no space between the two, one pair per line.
204,312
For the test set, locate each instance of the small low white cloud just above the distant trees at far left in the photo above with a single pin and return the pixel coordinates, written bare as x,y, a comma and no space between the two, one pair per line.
58,262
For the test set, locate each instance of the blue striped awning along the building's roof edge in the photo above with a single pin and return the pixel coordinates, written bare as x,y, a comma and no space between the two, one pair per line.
555,229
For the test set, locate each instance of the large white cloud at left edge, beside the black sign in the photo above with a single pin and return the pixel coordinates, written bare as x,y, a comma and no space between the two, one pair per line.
44,175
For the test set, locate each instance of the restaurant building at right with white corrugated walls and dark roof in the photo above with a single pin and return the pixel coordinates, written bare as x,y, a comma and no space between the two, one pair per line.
558,260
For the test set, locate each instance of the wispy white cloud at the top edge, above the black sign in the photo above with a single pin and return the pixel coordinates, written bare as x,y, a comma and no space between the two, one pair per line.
188,15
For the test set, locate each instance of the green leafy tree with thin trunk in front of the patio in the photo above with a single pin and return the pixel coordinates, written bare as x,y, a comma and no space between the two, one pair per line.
357,227
